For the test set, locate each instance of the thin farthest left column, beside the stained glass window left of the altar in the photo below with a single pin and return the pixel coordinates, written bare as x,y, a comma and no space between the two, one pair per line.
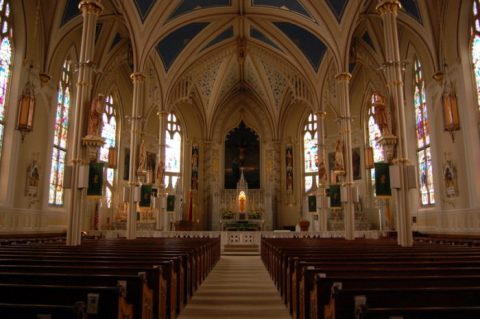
162,212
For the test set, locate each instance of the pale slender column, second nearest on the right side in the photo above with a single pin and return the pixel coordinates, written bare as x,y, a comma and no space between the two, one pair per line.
343,80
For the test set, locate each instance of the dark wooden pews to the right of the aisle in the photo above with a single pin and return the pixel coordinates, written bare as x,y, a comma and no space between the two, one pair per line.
335,278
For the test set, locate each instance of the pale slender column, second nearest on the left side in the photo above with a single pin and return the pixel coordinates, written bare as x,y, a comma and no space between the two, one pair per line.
138,80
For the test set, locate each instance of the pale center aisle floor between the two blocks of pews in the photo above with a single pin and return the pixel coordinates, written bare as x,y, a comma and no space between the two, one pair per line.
239,287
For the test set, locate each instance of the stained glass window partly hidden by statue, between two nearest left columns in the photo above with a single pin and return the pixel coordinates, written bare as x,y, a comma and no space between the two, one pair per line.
109,133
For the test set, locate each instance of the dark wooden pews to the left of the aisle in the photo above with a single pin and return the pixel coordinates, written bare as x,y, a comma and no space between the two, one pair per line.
120,279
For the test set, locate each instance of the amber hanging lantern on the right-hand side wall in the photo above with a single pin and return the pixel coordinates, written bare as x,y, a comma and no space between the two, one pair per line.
451,120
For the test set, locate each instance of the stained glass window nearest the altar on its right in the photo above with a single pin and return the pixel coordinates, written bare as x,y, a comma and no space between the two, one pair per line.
310,151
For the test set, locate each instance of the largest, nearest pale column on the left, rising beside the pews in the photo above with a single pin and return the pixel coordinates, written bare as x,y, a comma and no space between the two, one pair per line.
90,12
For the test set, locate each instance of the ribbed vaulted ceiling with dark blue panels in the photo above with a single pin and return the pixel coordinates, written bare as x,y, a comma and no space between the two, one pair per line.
277,50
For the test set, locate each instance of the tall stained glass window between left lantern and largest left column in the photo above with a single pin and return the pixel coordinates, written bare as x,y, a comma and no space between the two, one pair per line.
59,152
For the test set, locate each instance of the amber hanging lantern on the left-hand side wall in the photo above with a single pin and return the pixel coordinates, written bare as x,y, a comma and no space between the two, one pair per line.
26,108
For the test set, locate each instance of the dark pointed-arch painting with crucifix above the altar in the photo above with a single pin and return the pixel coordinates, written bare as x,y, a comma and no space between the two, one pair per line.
242,154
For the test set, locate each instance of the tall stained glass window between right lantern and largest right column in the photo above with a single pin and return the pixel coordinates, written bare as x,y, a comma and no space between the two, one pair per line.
424,159
